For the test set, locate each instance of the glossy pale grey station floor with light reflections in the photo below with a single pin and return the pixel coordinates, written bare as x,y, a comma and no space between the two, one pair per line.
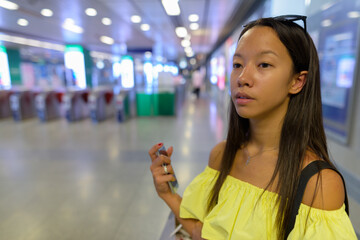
85,181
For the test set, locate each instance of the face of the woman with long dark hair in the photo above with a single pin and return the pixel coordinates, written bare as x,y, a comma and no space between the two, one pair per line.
262,75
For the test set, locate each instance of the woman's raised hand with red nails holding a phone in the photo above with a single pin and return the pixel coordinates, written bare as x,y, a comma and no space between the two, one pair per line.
161,178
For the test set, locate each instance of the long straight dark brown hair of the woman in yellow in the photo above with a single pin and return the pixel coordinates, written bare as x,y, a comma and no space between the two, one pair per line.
302,129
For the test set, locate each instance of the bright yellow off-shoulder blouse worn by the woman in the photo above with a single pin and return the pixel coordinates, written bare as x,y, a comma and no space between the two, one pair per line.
239,214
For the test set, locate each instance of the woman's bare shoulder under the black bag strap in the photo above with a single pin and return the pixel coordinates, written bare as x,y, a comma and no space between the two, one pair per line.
325,190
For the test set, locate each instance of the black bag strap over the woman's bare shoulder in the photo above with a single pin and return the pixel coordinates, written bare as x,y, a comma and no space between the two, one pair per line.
309,171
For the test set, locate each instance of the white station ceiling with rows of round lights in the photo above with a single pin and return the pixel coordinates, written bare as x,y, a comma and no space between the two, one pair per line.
161,38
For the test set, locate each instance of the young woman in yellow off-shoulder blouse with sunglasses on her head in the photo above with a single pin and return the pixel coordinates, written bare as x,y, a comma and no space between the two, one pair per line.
253,182
